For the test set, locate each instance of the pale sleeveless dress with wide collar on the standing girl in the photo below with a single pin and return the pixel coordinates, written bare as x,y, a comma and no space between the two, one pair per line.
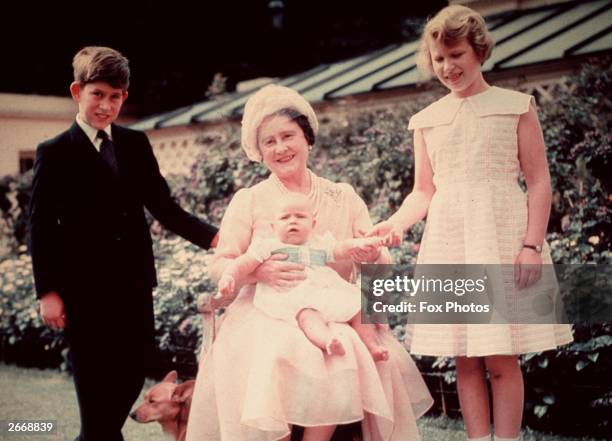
478,215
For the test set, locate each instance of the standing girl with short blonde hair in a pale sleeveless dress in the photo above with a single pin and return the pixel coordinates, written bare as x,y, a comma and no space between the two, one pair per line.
470,147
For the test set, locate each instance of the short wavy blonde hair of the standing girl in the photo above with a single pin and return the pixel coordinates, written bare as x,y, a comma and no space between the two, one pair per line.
451,25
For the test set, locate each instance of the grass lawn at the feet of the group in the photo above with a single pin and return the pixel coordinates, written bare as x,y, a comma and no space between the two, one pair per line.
29,394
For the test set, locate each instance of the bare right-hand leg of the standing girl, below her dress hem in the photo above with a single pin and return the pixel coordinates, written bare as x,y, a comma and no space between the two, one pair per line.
508,394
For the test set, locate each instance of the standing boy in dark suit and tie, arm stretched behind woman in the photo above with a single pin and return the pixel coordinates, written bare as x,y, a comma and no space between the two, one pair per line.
91,246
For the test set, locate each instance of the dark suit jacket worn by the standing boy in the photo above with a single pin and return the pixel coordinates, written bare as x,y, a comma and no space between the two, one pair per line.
87,227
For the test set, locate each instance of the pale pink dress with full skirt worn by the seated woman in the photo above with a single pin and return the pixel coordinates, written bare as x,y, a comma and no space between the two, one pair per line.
262,374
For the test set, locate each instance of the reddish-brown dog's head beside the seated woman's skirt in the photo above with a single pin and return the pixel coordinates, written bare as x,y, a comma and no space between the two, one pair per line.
166,401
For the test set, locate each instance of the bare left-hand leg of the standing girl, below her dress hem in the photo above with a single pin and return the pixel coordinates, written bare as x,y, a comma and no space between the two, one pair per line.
473,396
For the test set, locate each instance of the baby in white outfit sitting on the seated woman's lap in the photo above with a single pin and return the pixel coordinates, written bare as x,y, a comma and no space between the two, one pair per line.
324,296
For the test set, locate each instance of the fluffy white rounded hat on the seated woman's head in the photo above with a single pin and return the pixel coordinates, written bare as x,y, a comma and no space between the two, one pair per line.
265,102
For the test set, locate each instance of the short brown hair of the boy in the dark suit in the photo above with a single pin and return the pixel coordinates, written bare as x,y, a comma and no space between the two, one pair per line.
98,63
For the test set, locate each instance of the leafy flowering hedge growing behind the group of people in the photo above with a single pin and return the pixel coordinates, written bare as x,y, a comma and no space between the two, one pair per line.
568,390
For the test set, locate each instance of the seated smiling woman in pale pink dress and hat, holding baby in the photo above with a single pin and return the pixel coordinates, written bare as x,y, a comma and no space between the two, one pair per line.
262,375
